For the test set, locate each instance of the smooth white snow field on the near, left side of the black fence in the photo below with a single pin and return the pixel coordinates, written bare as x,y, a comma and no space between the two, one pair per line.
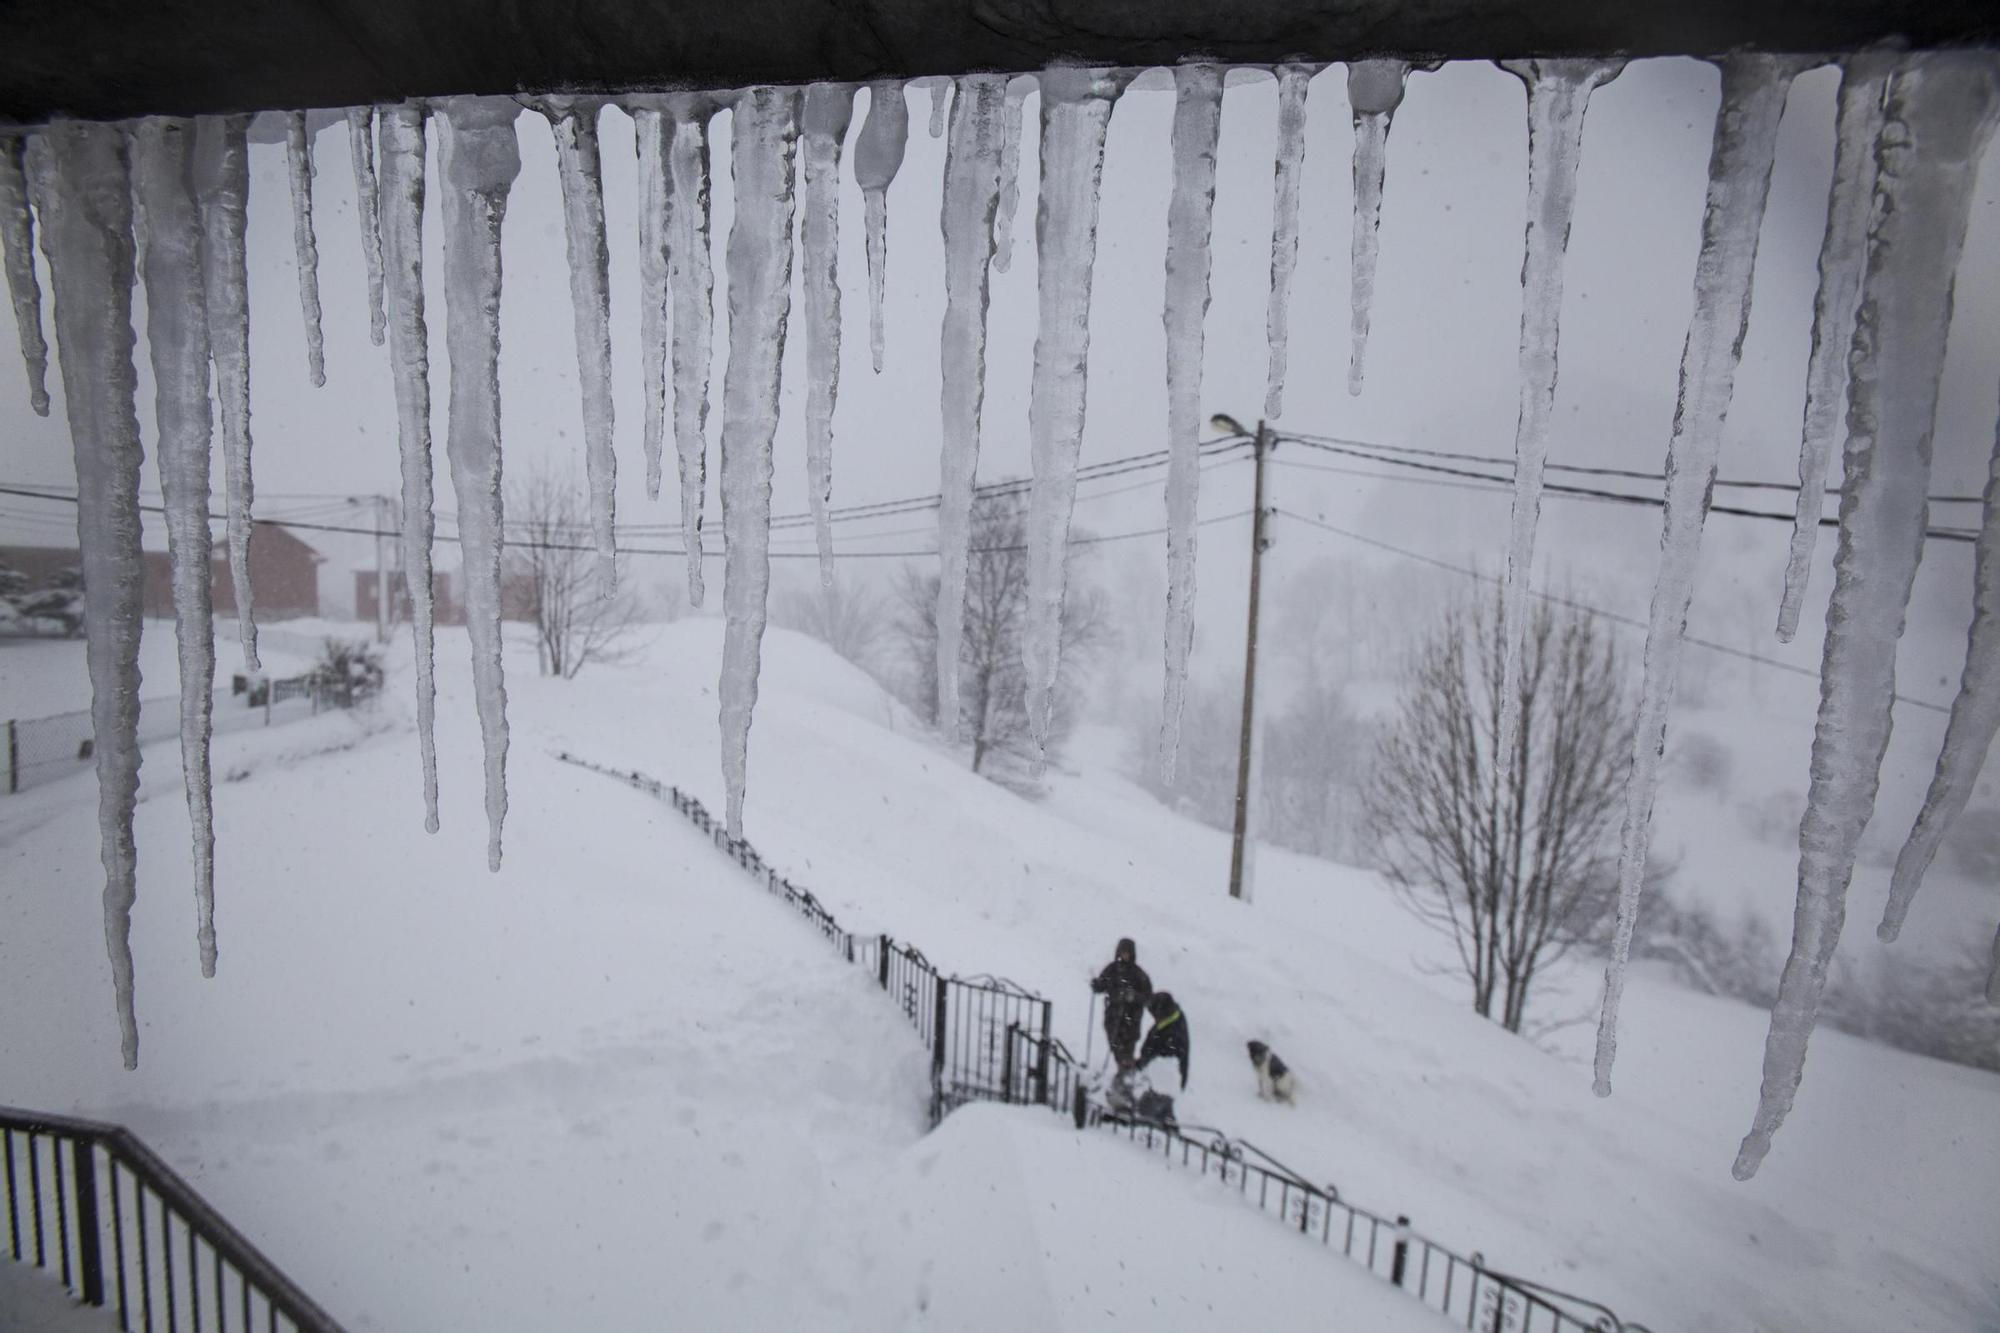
613,1086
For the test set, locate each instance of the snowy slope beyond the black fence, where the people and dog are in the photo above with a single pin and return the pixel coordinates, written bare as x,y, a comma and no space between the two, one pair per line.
1873,1212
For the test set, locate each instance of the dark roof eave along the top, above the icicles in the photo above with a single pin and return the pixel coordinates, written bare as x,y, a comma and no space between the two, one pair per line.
105,59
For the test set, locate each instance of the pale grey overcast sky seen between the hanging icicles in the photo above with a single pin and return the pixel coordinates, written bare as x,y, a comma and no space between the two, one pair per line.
1441,369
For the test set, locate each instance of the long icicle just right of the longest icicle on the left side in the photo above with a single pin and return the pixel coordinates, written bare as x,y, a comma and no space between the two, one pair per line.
177,331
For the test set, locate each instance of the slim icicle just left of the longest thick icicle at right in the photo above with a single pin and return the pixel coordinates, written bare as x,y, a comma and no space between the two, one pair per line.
1843,257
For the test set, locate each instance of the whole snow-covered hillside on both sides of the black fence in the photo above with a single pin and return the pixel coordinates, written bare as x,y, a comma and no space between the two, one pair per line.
625,1062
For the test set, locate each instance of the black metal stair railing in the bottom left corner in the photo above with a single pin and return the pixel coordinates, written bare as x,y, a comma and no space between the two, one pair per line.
95,1208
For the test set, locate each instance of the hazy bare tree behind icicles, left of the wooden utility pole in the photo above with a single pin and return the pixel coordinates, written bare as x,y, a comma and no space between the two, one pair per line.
993,688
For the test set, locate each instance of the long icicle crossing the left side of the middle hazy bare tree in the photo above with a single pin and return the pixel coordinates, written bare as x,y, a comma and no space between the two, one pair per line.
971,197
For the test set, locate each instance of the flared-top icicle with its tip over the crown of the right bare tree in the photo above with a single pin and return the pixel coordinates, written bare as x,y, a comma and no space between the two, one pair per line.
1559,93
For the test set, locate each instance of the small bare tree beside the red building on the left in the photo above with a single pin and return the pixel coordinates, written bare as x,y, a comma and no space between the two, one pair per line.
553,569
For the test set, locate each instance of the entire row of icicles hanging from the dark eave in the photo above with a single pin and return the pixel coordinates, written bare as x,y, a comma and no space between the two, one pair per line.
1911,131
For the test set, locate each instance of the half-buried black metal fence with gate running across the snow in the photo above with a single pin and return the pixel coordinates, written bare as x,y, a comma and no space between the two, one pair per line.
991,1042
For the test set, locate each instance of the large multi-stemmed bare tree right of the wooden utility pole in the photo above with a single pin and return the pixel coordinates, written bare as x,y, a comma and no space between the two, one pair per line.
1515,860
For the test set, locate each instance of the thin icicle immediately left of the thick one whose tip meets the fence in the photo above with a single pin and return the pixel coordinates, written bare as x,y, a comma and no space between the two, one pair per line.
693,283
